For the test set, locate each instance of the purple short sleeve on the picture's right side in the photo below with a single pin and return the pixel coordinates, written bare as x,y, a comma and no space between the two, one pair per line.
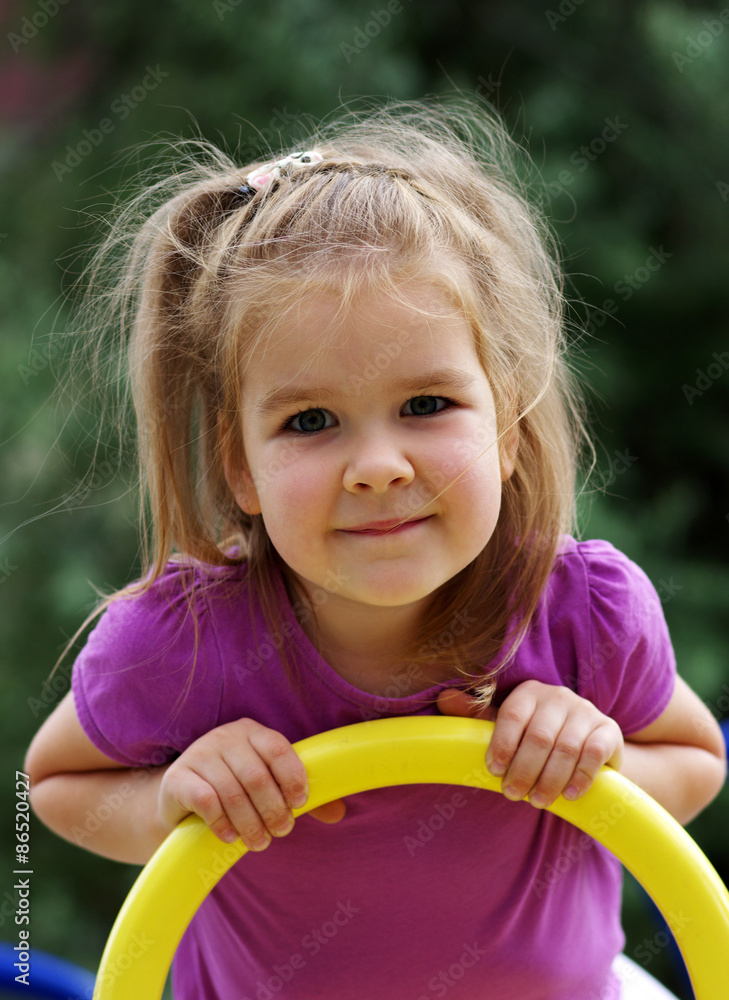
626,665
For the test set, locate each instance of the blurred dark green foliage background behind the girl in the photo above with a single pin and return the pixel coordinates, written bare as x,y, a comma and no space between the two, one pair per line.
624,109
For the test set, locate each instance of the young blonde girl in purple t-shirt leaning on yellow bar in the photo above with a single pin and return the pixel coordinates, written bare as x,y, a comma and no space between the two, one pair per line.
359,437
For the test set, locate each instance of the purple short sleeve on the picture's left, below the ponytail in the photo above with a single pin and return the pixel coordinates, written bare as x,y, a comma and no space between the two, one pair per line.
142,691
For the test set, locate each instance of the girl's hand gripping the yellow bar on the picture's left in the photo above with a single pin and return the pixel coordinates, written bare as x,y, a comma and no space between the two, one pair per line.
243,780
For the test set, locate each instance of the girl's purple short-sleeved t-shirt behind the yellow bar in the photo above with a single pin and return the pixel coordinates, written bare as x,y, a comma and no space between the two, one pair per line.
421,891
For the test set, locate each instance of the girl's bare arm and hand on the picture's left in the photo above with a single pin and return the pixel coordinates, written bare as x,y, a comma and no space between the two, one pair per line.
241,778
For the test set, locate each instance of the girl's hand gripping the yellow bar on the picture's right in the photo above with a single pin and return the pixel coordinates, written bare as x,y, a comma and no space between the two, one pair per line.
547,741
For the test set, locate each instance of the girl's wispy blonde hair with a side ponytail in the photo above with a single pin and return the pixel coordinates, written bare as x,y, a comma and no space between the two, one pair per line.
424,191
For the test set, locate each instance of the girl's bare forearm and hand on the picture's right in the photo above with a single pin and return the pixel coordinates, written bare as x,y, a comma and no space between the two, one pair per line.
549,741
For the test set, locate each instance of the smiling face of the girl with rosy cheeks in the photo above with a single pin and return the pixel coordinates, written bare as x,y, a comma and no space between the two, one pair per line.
355,423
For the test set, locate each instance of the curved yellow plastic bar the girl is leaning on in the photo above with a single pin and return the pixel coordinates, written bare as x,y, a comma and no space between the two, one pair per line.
423,750
